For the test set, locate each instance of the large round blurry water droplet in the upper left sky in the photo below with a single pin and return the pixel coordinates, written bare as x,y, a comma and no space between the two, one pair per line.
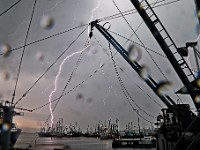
46,22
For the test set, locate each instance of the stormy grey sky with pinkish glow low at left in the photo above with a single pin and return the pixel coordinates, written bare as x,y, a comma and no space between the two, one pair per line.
100,97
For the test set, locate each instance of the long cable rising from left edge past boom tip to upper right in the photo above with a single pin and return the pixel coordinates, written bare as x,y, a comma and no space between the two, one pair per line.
59,33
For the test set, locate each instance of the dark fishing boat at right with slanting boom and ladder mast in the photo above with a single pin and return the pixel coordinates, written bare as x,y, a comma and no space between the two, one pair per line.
179,126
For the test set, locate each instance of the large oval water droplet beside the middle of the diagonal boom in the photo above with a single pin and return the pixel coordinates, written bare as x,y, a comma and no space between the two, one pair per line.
134,53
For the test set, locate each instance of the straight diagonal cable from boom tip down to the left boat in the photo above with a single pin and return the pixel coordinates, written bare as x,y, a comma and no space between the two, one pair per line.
51,65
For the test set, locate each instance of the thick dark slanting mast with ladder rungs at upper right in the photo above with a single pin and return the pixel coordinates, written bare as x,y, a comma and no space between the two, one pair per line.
169,48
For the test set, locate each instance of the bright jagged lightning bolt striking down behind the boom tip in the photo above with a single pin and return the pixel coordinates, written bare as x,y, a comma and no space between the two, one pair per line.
67,57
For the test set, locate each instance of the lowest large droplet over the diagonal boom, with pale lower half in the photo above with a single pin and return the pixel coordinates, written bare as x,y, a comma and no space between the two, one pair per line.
163,87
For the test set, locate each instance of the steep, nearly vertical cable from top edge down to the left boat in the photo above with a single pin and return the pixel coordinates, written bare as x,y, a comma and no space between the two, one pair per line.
26,38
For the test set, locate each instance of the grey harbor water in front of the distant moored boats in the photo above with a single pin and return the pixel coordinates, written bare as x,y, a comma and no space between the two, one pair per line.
76,143
